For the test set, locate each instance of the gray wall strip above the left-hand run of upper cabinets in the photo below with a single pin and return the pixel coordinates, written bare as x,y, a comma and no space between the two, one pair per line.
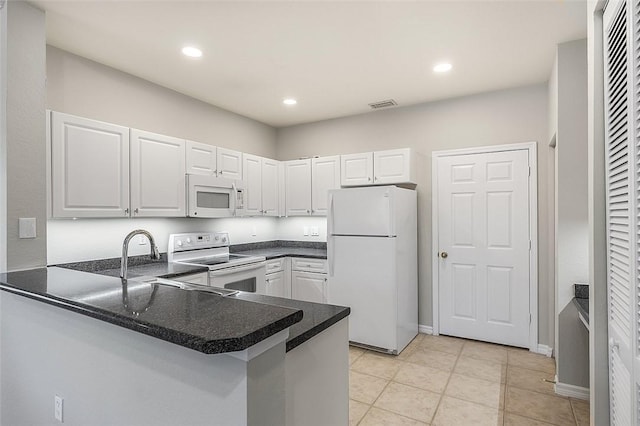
79,86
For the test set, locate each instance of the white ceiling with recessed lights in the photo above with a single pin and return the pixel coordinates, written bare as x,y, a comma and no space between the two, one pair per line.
333,57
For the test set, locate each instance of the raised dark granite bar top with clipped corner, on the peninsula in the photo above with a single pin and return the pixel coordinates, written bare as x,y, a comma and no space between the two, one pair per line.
201,321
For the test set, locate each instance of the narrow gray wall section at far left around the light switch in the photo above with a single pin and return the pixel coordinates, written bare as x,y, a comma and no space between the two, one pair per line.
26,177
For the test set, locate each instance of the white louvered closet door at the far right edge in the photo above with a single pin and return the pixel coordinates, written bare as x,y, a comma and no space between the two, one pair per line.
622,205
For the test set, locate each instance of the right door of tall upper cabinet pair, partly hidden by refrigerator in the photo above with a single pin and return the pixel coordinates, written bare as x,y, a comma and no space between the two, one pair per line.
325,175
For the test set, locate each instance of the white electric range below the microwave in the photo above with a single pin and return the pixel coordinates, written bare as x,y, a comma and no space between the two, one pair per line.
226,270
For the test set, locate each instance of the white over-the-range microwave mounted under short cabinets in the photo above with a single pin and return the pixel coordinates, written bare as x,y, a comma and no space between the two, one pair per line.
211,197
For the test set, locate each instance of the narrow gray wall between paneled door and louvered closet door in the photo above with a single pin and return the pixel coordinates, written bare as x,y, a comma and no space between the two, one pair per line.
569,100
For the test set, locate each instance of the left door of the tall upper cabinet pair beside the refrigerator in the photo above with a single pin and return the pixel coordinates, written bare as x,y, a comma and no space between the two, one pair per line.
298,187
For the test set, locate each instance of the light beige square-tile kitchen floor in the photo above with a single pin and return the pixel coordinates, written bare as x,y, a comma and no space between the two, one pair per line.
446,381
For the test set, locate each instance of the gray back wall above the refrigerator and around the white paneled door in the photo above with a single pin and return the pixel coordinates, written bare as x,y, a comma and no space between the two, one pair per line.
509,116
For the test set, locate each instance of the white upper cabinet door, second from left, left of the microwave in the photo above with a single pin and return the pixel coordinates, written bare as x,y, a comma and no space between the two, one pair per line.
157,175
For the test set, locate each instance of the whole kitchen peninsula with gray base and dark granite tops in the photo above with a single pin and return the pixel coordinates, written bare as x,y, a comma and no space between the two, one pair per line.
147,353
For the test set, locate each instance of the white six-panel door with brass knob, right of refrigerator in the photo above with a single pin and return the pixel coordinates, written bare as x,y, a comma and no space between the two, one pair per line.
483,246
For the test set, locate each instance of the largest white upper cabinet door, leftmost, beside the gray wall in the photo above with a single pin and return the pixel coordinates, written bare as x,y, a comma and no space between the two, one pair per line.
89,167
